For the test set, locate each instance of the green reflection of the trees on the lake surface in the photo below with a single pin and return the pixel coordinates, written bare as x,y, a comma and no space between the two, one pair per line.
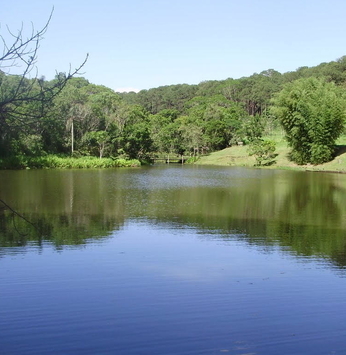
299,211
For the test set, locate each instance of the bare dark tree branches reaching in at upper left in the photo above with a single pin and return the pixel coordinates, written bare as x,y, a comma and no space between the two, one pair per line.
22,90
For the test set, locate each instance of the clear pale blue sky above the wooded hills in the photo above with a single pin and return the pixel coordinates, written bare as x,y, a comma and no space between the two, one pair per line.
136,44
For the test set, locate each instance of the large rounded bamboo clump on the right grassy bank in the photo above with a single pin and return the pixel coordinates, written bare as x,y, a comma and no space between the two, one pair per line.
312,113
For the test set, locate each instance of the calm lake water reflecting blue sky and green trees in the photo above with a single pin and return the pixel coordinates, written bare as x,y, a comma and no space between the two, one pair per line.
173,260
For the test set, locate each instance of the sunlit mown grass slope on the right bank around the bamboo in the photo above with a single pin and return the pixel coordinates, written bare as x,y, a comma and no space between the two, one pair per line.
238,156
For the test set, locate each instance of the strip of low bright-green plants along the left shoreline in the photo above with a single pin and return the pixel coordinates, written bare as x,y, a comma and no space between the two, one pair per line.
57,162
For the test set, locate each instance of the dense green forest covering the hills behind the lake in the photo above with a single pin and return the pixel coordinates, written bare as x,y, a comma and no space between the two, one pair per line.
81,119
